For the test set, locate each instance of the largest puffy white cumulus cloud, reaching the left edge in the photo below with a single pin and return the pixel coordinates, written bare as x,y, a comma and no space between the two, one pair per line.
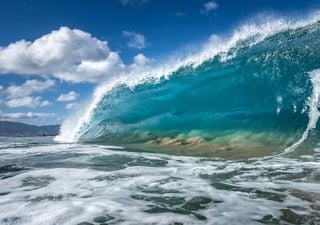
67,54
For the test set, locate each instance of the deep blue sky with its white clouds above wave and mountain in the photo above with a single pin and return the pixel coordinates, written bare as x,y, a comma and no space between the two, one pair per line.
54,53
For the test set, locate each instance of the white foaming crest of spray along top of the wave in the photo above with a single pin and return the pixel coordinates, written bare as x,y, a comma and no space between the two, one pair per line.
133,75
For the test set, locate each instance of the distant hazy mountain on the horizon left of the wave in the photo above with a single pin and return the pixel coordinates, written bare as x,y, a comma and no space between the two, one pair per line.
15,129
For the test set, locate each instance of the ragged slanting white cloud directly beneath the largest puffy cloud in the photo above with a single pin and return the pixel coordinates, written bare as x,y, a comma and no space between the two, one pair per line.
28,88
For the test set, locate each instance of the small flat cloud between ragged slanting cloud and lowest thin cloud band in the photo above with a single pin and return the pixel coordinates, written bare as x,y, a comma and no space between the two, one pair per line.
27,101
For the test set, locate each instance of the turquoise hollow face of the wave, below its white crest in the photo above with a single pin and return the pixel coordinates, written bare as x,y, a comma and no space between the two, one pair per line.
255,101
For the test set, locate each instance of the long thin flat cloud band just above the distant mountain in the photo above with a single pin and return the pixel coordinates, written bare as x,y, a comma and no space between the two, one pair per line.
27,115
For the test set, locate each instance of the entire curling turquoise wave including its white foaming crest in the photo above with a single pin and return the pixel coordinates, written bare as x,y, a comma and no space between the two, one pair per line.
253,93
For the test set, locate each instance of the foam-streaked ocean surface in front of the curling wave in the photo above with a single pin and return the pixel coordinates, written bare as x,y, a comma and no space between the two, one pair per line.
42,182
